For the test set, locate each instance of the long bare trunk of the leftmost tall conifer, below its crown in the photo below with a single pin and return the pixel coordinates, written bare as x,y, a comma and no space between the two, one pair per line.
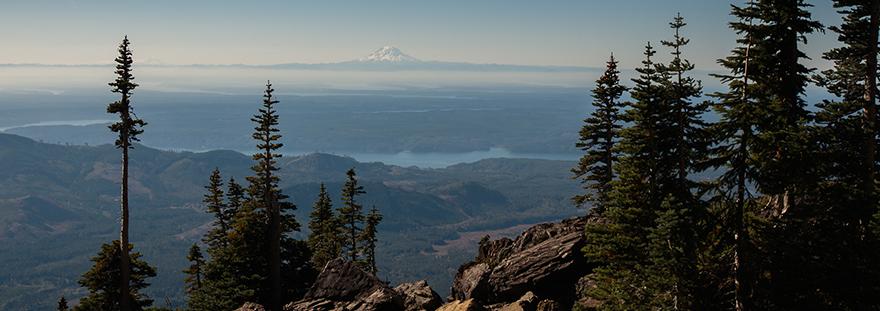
124,260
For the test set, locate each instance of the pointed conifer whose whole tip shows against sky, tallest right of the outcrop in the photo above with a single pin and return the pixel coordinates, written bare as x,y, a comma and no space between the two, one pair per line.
674,242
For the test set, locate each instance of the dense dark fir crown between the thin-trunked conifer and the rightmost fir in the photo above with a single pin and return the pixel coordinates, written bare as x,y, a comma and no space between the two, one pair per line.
783,147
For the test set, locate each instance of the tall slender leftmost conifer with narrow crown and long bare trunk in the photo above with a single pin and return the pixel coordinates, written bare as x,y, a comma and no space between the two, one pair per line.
128,128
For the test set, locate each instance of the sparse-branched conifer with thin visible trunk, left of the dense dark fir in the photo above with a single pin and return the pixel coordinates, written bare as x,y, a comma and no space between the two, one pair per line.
734,143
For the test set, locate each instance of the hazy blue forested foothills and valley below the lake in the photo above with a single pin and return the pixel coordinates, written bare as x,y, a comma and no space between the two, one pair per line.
423,207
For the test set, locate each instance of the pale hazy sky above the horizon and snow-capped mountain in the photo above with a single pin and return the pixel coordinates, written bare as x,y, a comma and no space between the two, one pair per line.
575,32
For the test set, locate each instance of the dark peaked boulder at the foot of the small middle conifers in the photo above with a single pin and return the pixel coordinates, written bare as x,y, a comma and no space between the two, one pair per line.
342,285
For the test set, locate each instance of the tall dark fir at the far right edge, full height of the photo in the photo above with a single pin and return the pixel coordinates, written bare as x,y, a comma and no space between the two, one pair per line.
847,135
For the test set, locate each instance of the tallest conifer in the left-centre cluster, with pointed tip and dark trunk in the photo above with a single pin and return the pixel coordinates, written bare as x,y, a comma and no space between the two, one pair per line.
266,195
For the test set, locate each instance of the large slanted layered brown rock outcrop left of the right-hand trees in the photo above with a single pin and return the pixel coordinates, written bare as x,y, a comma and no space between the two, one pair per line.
543,263
